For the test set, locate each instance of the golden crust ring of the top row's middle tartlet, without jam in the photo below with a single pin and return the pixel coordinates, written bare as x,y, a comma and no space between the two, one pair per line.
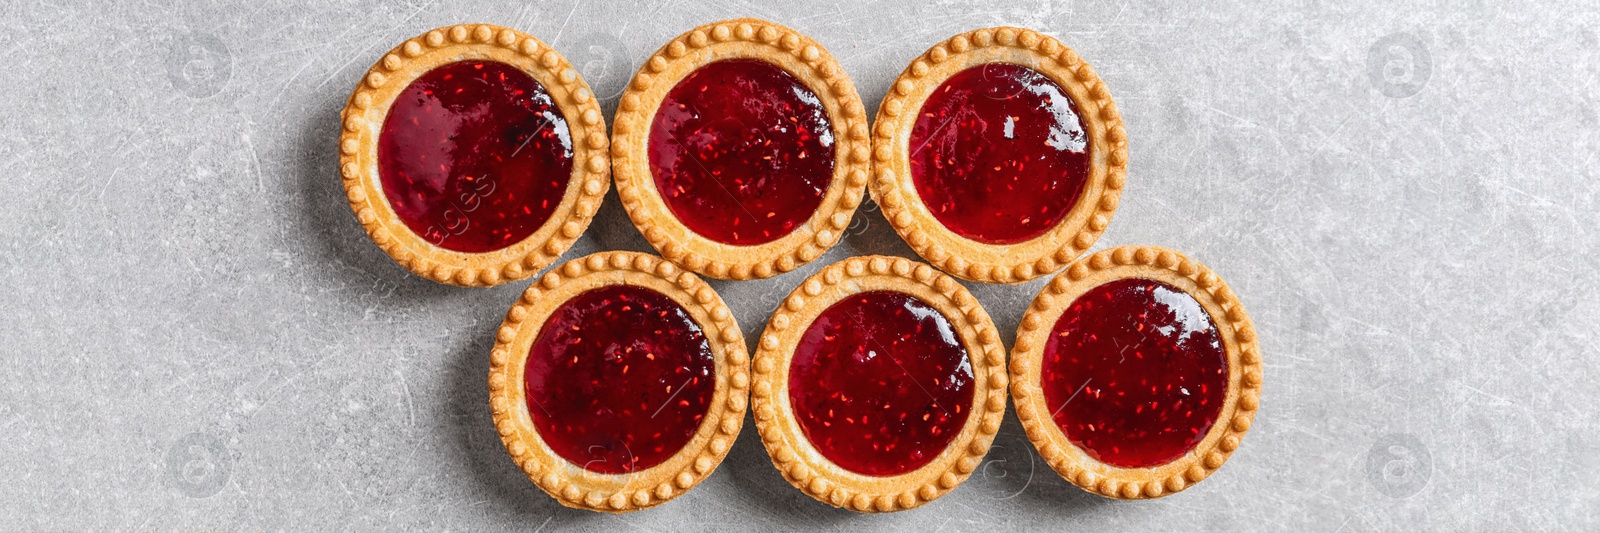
809,63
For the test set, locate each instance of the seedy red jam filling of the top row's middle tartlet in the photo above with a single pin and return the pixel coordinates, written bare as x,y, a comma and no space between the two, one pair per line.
742,151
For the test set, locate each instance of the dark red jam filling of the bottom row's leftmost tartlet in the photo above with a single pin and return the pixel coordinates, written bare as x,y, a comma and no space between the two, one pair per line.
620,379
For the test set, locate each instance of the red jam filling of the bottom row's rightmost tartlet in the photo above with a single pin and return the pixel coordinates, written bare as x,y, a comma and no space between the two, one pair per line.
1135,374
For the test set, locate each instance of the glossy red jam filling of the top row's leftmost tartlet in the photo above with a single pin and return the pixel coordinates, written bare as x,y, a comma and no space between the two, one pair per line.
474,156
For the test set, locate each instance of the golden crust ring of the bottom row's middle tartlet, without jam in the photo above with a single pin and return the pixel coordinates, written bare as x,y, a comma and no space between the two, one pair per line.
794,455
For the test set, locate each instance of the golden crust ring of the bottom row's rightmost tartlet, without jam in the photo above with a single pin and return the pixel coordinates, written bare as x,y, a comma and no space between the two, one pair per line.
1244,379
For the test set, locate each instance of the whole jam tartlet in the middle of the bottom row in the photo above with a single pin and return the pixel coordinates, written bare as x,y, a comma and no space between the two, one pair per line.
879,385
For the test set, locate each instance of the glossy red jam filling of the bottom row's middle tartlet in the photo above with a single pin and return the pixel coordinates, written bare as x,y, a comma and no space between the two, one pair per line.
881,383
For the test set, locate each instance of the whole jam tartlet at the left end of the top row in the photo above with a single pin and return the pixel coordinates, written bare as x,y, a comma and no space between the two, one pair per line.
474,154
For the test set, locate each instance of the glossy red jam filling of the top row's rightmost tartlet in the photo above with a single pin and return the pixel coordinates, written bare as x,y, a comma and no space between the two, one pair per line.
999,154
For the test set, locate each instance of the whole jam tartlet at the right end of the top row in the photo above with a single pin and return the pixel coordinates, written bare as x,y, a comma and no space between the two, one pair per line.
999,156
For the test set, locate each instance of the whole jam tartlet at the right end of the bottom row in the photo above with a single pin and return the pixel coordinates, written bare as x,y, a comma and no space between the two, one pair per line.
1172,326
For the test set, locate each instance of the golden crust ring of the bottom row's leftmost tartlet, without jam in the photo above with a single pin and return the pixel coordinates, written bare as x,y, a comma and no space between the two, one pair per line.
572,484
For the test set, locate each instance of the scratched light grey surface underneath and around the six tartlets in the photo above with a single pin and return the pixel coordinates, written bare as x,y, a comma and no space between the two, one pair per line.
198,335
